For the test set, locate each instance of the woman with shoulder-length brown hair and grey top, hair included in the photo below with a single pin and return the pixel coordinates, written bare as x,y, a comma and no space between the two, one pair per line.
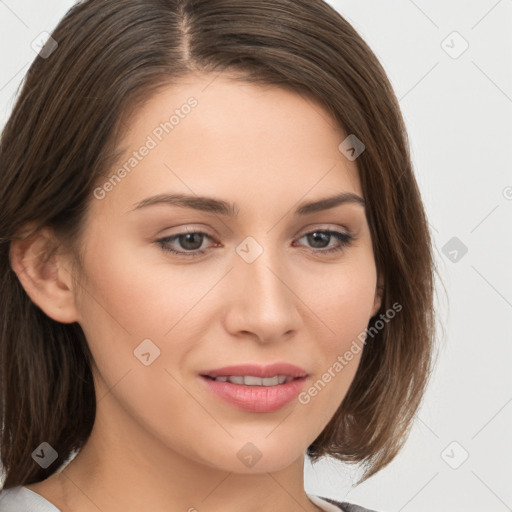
197,376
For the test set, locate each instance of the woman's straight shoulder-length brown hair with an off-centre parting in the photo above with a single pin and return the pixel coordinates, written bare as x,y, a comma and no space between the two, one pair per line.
63,134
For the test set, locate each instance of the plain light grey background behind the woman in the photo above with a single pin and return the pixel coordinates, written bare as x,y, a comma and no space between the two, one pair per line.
458,113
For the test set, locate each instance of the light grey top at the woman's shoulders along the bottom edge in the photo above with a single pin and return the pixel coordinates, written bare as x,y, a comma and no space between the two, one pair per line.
22,499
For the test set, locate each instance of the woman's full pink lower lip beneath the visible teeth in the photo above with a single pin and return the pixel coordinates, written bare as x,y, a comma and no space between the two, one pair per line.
256,398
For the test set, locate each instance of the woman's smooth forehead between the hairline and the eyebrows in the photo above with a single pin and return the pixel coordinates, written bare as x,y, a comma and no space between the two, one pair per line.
212,135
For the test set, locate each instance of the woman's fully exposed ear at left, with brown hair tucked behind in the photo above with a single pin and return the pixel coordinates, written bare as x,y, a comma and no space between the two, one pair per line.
43,273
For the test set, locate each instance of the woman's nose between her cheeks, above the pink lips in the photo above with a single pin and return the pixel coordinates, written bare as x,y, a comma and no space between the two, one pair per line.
262,299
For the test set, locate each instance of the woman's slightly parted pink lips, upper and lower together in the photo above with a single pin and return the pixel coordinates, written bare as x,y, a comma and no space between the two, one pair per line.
257,398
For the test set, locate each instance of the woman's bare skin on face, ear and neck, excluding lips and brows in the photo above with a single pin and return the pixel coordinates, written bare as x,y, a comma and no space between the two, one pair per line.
161,440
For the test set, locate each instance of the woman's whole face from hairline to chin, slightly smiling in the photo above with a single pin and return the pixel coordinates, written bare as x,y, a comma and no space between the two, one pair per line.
257,281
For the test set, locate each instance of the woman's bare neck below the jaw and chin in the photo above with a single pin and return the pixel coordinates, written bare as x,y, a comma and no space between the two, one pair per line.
128,468
